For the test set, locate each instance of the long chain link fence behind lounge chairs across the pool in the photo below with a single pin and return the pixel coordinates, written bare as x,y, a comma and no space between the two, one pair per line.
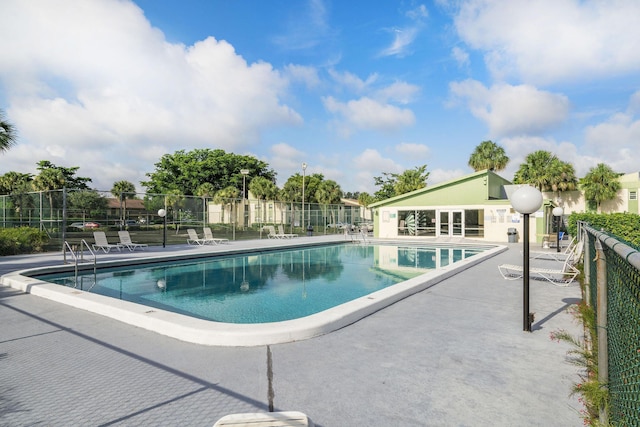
73,215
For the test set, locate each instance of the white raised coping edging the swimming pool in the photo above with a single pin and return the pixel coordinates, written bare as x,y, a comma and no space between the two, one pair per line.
211,333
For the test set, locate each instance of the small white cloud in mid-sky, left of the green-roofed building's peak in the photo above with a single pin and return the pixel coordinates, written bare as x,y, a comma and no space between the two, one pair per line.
368,114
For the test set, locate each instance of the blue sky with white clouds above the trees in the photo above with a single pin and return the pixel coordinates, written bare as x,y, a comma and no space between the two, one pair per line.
353,88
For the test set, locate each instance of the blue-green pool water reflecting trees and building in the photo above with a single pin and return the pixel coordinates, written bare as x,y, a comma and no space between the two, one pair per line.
268,286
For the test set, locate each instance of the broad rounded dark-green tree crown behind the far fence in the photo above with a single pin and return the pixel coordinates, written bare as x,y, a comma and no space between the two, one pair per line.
186,171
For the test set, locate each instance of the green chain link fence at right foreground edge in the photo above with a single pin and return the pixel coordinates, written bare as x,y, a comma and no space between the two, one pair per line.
612,274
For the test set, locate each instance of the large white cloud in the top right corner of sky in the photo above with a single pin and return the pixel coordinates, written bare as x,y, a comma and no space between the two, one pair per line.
549,41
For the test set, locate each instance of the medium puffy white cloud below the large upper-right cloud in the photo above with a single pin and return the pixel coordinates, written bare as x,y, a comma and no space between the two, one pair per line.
512,110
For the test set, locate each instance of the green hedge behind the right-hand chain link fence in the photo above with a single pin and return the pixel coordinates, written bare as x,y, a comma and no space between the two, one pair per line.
625,226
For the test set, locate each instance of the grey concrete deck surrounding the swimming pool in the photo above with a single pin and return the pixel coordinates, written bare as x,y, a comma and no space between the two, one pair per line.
454,354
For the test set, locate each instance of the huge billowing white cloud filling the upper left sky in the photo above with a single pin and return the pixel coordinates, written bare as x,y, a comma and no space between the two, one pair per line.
100,87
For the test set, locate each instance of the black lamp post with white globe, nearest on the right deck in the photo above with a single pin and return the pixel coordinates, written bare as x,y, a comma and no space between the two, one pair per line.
526,200
